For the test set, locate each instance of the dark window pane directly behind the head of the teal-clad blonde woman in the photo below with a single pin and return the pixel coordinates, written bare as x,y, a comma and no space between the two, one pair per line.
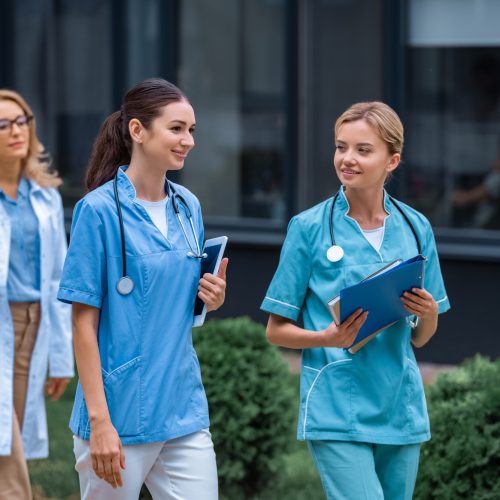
342,64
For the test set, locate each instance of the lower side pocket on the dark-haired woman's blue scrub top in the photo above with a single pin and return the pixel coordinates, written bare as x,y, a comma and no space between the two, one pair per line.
122,388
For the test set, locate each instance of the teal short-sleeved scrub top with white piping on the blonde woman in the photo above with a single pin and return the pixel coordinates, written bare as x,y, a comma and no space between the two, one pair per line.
375,395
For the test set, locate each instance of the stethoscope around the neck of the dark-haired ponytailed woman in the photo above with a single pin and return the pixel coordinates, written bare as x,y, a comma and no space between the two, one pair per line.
125,284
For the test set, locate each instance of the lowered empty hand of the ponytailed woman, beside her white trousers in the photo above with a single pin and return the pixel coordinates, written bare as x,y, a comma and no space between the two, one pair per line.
106,452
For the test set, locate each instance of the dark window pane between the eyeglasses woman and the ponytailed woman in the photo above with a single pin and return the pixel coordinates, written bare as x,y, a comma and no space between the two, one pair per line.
68,79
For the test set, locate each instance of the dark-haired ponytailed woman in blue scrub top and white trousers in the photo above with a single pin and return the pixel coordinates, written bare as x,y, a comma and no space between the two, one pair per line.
132,274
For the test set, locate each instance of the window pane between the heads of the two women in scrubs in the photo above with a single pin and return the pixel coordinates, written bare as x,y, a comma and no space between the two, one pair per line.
235,79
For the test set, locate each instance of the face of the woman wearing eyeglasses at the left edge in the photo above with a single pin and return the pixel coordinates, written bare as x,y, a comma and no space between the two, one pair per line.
14,140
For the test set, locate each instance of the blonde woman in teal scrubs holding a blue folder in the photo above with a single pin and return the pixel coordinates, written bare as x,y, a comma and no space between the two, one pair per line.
363,415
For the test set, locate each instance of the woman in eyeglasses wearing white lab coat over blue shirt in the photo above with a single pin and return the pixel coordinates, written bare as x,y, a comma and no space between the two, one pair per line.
35,328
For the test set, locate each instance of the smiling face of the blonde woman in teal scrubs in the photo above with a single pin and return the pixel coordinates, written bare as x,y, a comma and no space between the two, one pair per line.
362,158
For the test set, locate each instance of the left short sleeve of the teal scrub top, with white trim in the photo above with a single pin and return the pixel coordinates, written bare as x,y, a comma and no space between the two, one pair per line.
288,288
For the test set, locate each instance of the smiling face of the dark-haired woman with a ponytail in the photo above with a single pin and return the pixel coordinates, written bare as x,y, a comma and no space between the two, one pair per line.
167,142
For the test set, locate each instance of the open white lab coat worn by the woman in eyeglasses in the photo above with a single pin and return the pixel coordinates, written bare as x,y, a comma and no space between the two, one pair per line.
53,349
